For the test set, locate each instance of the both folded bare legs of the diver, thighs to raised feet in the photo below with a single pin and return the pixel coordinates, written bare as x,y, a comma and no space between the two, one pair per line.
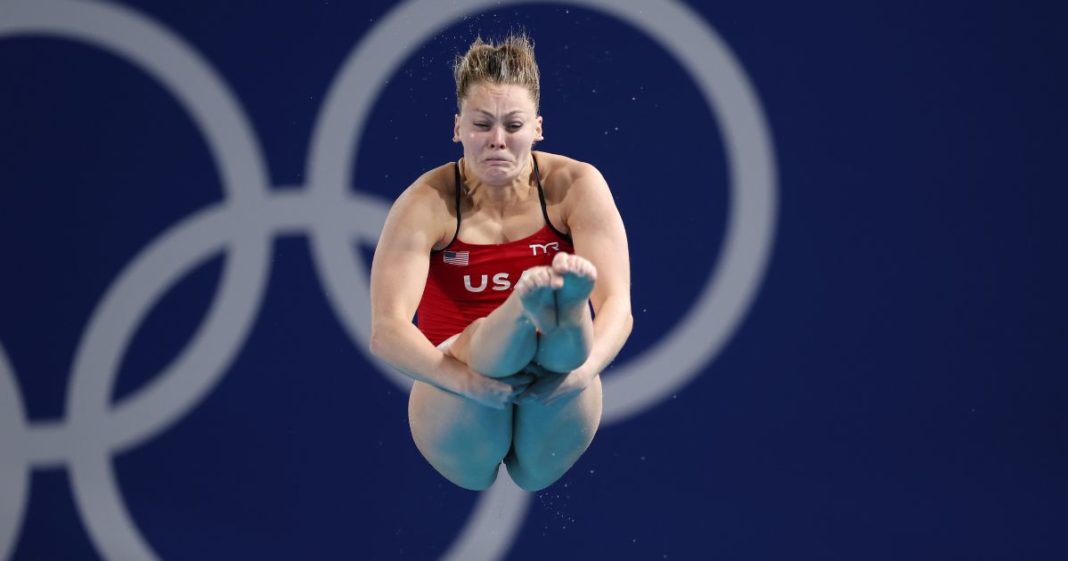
466,442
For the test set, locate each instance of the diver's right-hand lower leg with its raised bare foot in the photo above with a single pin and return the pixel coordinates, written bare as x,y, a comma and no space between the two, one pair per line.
566,345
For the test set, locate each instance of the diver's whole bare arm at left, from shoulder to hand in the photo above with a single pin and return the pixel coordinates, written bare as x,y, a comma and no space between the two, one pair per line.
398,279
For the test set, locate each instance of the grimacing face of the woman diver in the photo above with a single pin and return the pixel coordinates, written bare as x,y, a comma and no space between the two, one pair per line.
498,127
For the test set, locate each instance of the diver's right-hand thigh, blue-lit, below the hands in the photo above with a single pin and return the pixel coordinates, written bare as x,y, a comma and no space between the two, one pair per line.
548,441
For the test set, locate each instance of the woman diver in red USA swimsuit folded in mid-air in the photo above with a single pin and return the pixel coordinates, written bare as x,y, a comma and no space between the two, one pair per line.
502,255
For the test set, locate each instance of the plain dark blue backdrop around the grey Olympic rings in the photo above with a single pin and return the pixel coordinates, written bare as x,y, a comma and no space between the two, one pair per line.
898,391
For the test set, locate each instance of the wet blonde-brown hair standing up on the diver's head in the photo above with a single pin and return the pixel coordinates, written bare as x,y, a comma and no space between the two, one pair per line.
511,61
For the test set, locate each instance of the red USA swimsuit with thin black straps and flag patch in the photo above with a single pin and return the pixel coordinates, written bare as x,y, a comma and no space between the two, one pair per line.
468,282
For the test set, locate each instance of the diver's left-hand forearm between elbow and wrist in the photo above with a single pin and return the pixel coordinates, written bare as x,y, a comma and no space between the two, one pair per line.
404,347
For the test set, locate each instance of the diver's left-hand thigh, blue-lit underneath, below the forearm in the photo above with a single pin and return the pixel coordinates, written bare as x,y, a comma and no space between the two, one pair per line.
463,440
